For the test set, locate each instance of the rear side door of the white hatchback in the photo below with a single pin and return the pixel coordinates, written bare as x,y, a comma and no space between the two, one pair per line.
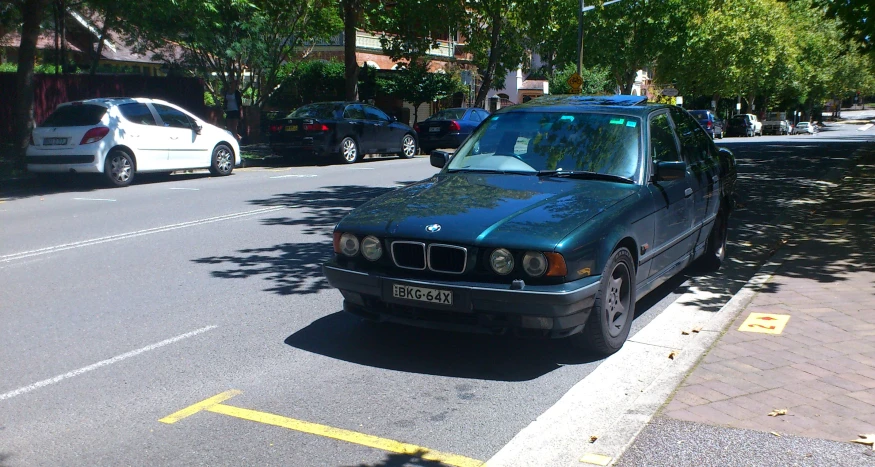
150,142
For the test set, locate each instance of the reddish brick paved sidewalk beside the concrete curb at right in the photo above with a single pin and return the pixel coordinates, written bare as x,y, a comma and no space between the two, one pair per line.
821,368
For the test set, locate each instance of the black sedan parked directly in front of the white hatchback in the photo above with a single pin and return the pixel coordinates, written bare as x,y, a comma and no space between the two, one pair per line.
345,130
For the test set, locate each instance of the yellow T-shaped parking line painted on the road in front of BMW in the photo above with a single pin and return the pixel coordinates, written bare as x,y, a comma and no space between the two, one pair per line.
214,404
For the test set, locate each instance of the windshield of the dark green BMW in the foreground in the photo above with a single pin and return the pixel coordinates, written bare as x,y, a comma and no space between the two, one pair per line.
533,142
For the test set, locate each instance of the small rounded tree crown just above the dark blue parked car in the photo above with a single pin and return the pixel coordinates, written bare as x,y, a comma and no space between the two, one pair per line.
415,84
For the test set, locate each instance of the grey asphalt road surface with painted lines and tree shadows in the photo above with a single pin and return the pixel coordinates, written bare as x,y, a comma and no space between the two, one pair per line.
121,307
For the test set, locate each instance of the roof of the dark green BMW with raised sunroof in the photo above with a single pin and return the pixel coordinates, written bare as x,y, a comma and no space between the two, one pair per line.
635,105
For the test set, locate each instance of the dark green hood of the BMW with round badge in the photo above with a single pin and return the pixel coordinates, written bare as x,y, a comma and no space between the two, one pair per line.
522,211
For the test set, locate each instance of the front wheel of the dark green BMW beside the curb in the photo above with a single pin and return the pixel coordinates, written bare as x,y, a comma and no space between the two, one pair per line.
612,313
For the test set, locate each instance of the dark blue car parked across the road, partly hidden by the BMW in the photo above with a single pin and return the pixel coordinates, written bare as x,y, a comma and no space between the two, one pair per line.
448,128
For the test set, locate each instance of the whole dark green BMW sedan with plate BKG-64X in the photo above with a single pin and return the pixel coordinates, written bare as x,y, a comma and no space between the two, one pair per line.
552,219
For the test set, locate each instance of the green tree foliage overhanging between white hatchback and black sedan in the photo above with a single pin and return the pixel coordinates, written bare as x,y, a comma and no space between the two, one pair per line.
223,38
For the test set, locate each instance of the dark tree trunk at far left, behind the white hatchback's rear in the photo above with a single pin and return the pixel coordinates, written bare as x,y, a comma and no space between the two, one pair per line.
22,111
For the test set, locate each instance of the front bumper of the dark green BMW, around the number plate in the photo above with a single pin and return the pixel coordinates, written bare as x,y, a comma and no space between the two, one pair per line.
539,311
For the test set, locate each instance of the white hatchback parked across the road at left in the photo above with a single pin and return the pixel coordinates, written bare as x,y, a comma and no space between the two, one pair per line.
119,137
